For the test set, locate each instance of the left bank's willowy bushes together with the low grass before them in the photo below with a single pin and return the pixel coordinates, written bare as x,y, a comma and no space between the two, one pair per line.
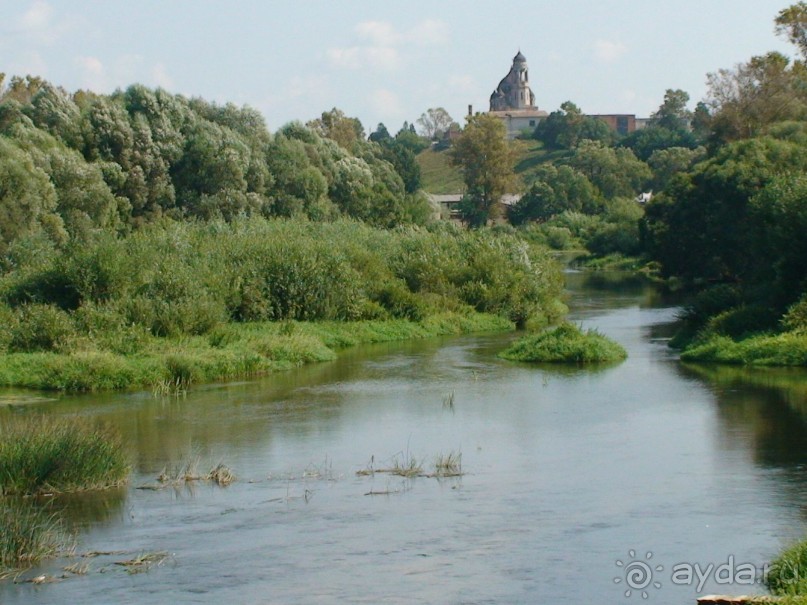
181,303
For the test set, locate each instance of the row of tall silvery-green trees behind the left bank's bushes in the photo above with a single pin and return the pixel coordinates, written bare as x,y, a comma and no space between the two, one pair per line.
70,164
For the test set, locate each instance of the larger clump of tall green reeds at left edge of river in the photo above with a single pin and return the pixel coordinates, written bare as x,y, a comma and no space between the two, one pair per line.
39,454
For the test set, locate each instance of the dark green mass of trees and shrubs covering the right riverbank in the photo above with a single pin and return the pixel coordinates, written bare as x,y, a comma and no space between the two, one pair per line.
729,222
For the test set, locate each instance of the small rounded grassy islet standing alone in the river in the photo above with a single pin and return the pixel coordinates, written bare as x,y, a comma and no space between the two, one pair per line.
565,344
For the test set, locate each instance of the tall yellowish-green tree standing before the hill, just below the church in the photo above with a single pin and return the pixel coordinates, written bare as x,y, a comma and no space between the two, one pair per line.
486,161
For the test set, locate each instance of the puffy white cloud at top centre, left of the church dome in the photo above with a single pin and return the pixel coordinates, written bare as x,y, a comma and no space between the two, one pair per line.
383,42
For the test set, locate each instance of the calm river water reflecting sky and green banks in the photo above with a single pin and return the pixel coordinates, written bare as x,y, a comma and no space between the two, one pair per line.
572,477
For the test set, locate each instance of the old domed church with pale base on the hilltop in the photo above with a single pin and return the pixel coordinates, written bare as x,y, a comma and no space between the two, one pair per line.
514,102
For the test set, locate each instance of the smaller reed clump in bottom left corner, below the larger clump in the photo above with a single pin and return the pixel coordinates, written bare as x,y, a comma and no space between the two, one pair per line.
27,536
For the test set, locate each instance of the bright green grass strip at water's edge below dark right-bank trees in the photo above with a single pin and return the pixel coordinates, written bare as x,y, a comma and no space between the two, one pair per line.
786,349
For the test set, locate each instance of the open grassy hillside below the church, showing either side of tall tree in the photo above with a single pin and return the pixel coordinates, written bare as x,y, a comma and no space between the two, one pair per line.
439,176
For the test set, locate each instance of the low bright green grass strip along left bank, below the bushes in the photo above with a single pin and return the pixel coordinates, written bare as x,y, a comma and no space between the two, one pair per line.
171,365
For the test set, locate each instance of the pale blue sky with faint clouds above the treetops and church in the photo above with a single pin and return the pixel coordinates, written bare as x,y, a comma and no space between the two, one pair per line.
384,61
